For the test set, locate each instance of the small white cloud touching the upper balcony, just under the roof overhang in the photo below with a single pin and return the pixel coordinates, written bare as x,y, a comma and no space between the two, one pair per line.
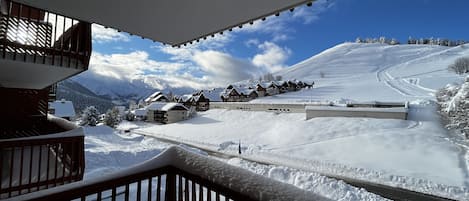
103,35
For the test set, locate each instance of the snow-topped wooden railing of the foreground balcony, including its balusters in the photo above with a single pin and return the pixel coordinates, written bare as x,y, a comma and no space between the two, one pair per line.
177,174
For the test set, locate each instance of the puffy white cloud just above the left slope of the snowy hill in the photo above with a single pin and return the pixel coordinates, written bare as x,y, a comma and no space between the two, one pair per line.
272,57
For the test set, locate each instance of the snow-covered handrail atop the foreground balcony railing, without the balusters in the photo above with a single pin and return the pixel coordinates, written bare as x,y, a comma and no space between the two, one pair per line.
234,181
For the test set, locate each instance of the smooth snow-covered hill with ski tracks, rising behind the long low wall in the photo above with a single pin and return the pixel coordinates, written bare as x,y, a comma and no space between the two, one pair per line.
364,72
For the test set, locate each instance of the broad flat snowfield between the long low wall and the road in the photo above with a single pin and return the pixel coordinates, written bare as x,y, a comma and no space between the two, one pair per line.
414,151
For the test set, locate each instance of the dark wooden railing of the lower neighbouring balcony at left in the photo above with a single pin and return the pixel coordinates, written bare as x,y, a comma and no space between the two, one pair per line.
31,164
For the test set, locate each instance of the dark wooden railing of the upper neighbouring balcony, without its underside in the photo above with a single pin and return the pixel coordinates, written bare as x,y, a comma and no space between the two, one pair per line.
33,35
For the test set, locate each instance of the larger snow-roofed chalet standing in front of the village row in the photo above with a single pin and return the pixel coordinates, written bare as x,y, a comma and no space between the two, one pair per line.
166,112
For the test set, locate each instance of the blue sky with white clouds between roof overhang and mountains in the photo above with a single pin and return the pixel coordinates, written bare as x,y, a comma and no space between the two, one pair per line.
277,43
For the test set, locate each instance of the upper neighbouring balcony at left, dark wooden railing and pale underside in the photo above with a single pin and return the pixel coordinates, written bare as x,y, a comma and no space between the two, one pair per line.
39,48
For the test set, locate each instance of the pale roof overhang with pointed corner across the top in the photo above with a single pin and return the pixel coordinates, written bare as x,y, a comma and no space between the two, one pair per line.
173,22
